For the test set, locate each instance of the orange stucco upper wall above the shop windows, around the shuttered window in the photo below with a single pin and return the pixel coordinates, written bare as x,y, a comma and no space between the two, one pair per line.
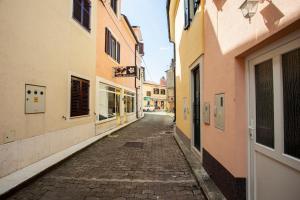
120,30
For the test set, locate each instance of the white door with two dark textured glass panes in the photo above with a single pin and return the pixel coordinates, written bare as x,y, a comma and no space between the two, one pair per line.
274,124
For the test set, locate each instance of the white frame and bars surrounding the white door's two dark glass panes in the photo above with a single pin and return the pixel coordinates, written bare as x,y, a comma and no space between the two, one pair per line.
272,51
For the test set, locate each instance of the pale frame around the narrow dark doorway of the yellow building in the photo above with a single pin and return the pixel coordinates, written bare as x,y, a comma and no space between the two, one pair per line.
197,63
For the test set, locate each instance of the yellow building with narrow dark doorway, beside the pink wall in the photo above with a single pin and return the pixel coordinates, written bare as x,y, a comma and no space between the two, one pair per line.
186,31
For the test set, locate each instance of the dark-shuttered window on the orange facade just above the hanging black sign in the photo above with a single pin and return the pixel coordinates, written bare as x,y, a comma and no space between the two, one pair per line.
112,46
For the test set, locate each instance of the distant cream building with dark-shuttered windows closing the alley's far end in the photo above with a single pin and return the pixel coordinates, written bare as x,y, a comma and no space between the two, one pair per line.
155,96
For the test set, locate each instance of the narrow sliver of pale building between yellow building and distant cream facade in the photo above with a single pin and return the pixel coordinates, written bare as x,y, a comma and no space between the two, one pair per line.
170,74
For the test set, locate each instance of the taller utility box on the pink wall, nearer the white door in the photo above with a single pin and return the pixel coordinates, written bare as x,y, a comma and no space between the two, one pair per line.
219,111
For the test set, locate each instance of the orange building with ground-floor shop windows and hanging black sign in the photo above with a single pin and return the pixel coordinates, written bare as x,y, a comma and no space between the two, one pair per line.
117,46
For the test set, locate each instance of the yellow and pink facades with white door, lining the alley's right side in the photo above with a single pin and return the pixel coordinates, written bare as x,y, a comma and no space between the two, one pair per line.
240,93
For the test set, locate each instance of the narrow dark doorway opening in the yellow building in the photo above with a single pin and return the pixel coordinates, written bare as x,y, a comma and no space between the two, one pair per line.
196,109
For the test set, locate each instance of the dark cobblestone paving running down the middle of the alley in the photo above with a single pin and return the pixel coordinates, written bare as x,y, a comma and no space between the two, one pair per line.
141,161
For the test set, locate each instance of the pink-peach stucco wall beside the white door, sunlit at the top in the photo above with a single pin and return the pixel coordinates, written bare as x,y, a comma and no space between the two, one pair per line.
223,72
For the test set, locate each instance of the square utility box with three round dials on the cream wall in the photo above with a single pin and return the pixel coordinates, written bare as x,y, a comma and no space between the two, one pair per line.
35,99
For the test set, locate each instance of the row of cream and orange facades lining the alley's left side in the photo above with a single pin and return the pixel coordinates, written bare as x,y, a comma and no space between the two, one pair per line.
59,80
